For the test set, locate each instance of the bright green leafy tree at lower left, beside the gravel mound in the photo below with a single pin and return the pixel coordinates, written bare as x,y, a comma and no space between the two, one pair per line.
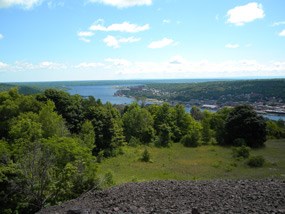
54,170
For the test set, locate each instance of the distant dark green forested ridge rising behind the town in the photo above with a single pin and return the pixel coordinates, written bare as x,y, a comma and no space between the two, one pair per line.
221,91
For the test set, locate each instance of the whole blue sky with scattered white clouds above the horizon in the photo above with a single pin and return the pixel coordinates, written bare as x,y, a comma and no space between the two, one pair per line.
57,40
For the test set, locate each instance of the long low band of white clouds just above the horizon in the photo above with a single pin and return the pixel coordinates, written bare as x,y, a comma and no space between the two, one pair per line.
174,67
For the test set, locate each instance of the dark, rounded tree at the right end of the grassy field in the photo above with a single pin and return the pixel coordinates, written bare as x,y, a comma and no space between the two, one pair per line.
243,122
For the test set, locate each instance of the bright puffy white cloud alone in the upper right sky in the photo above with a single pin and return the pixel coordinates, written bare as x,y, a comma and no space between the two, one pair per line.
246,13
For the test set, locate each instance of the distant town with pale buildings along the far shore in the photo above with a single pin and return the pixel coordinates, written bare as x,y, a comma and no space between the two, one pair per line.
262,105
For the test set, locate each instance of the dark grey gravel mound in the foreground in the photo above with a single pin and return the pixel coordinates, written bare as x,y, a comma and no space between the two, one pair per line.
221,196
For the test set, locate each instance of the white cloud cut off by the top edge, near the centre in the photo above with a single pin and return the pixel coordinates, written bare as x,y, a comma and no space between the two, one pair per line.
123,3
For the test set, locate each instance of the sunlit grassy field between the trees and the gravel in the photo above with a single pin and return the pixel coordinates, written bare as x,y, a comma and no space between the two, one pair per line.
202,163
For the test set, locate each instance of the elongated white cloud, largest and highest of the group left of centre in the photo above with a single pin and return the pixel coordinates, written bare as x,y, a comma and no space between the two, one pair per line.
122,27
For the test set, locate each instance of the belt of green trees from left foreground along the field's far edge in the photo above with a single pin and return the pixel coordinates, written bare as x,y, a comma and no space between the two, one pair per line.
52,142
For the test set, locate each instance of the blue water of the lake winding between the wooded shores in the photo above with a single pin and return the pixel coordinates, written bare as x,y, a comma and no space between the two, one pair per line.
106,94
